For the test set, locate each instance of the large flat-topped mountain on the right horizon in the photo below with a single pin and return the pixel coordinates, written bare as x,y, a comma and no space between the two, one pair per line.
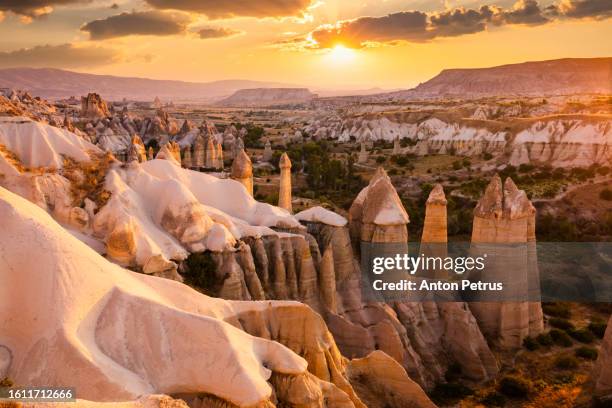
554,77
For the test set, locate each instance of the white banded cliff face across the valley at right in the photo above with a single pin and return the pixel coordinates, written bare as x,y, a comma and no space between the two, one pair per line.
558,142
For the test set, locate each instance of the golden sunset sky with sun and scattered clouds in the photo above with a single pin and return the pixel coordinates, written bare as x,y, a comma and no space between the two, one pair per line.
321,44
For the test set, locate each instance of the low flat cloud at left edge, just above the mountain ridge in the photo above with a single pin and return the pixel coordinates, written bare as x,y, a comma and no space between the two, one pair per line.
59,56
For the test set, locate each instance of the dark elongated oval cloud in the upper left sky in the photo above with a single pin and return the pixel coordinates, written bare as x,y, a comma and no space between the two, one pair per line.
138,22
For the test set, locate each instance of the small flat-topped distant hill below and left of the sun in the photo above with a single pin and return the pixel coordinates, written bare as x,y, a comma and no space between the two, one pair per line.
267,96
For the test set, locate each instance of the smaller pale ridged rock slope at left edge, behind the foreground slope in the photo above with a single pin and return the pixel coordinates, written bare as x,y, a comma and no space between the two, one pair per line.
40,145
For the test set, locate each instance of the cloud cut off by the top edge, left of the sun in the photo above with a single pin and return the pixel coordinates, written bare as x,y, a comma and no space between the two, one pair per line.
215,9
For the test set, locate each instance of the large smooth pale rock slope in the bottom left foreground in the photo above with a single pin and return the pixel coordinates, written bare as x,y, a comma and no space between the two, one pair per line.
70,318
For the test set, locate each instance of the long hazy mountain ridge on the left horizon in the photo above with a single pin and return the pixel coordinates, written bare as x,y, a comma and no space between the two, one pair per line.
57,83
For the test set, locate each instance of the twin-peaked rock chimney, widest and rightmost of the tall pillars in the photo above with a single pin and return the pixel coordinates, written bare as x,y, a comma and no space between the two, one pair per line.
502,216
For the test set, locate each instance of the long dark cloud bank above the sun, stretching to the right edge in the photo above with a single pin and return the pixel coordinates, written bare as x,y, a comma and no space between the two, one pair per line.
417,26
